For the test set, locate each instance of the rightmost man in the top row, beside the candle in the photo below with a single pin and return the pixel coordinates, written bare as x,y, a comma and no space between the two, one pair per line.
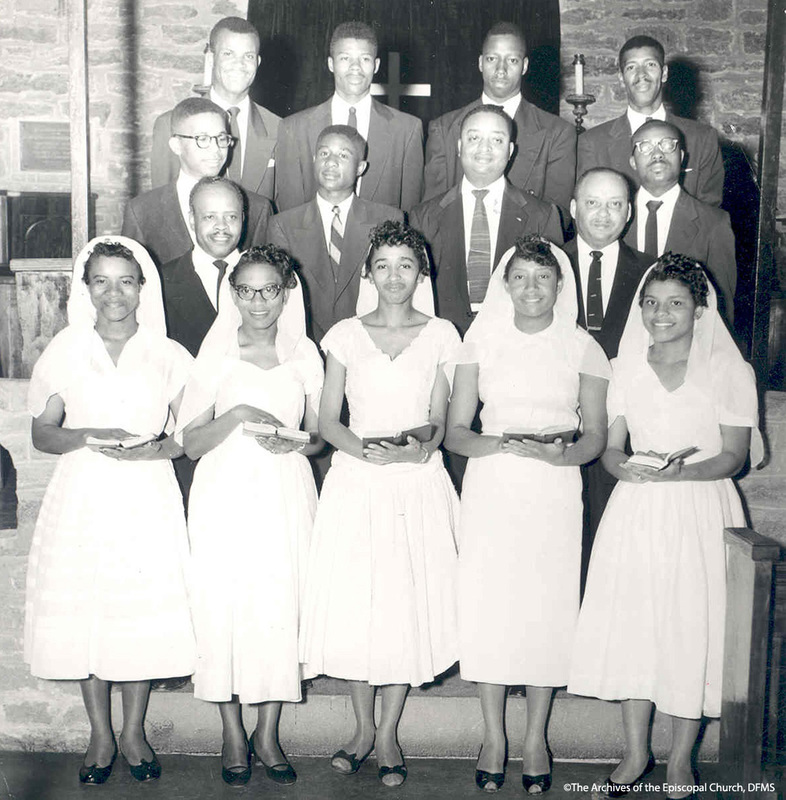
643,72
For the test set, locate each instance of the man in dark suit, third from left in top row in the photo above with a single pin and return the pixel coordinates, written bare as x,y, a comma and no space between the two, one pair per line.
544,160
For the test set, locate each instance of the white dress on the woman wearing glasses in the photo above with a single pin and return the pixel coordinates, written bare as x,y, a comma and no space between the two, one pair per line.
249,519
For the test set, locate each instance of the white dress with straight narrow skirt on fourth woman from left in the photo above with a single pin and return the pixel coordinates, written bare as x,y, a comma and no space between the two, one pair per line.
521,519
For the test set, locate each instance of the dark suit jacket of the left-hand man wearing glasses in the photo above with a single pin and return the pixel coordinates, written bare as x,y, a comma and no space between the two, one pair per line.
155,221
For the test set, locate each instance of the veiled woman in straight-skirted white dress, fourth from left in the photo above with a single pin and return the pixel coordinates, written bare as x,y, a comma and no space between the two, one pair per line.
521,510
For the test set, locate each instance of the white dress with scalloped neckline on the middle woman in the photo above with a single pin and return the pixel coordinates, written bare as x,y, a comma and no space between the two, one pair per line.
380,602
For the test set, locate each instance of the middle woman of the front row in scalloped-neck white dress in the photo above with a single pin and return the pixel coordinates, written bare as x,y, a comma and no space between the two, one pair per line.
380,607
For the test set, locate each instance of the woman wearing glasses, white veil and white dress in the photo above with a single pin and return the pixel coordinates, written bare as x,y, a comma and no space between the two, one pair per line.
252,503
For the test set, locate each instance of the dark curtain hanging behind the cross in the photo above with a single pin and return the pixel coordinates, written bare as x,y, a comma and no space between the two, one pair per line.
439,42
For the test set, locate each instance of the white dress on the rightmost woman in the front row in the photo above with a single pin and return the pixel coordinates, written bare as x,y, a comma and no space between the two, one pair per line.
652,621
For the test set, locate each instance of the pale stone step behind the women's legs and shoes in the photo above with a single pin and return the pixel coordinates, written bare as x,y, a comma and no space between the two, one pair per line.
442,723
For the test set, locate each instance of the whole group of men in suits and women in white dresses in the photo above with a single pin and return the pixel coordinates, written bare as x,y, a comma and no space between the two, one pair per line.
192,339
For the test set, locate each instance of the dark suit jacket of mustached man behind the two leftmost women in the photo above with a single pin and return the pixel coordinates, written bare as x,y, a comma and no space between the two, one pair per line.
189,312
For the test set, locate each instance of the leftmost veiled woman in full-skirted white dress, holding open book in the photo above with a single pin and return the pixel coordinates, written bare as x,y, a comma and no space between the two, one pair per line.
106,583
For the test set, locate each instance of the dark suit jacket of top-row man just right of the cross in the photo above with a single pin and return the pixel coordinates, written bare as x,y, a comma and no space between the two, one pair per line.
543,163
